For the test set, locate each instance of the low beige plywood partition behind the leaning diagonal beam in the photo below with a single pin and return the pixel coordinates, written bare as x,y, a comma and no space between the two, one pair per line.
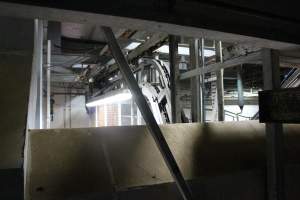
99,161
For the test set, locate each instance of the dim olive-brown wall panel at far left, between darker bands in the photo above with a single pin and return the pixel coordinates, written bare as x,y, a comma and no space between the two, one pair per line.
14,86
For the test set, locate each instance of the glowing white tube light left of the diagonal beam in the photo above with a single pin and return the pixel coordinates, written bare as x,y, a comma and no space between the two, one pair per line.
111,97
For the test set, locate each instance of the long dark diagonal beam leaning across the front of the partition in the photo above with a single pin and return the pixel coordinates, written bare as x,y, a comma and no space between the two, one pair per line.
147,114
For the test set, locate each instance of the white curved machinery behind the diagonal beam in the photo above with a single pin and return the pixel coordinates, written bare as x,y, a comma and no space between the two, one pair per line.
153,77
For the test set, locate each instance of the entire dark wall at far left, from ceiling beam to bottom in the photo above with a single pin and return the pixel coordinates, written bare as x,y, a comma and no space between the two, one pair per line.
16,47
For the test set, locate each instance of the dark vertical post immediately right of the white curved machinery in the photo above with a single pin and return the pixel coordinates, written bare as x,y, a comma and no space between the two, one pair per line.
174,78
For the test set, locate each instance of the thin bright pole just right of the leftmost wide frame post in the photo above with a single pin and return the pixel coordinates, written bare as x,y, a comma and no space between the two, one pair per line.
48,82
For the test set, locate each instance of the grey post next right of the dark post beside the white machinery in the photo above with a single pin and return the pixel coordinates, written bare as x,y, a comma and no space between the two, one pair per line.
195,82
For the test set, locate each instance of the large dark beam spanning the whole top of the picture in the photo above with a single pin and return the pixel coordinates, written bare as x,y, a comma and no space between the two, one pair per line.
172,17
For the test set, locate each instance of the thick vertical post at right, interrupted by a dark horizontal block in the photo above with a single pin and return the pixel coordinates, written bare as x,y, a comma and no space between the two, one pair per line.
274,131
